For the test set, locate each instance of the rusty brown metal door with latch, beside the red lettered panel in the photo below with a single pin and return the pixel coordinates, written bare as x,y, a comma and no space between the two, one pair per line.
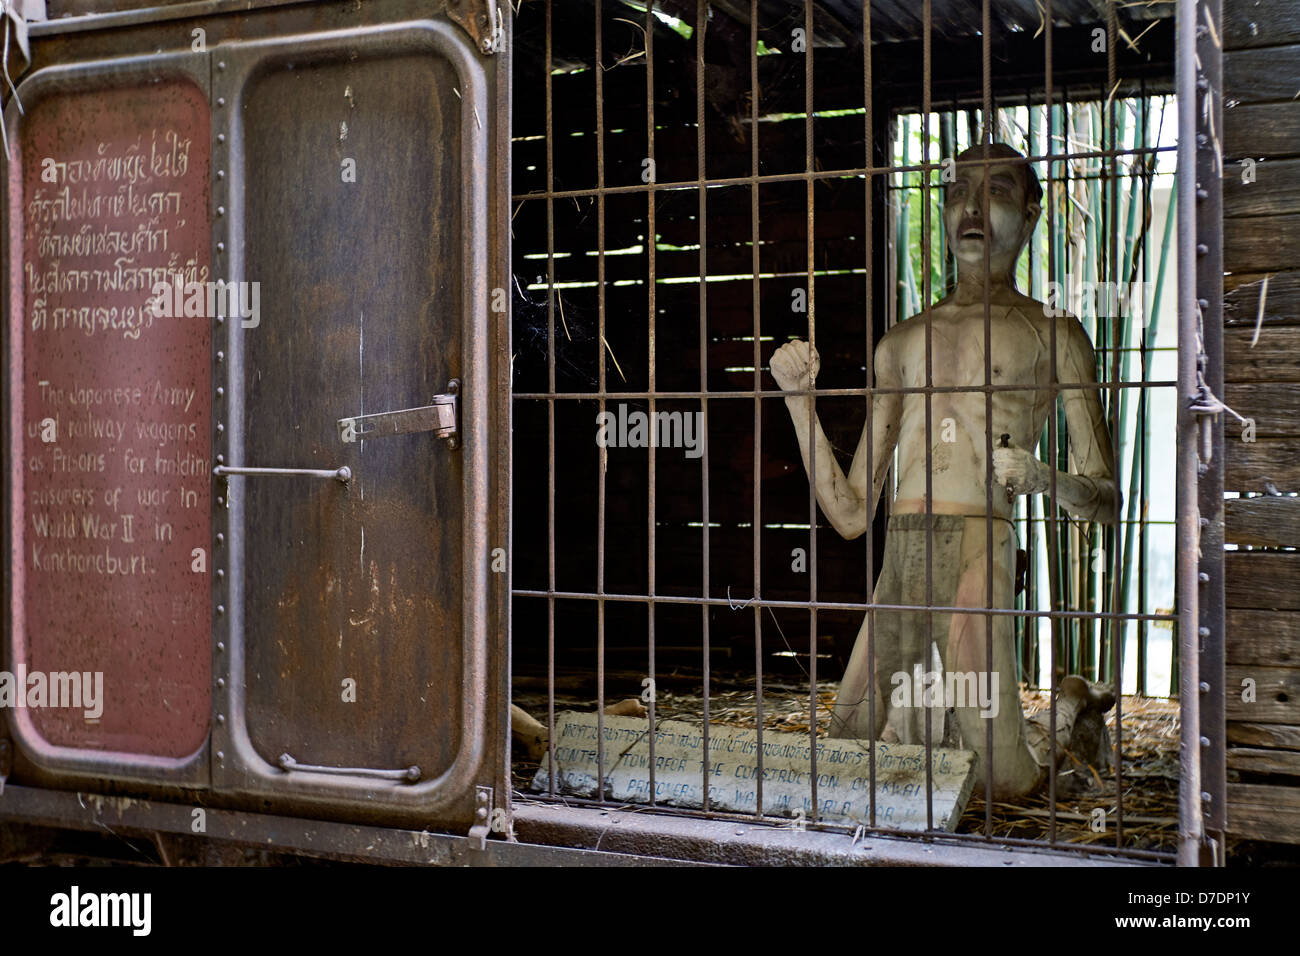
353,473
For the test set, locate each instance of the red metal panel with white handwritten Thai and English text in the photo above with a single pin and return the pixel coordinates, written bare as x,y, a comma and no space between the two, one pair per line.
110,413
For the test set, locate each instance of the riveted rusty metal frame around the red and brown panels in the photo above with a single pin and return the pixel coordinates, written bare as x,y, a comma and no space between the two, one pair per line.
254,31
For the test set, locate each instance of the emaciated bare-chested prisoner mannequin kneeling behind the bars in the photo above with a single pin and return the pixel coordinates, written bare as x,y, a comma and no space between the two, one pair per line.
957,527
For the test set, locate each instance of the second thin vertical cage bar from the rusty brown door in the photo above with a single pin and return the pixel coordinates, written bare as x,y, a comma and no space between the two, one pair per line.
601,362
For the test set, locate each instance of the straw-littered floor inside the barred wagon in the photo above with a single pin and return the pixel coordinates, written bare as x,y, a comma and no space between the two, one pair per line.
1149,782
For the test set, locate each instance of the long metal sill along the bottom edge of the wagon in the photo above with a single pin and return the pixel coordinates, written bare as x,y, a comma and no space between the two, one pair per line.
548,836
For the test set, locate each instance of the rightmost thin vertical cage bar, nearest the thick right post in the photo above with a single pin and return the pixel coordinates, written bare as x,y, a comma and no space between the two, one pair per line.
1116,625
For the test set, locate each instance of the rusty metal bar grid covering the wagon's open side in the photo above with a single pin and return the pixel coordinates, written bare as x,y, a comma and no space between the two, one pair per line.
1059,158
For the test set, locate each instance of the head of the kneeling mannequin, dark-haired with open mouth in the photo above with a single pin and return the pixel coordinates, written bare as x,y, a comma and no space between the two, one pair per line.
1015,197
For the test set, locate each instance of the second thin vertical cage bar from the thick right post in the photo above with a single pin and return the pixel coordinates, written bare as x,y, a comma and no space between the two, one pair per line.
1050,512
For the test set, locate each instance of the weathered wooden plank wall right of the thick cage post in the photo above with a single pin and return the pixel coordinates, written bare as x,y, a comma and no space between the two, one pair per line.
1262,364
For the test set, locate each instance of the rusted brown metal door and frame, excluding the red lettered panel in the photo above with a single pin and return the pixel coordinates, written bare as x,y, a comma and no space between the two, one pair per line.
418,241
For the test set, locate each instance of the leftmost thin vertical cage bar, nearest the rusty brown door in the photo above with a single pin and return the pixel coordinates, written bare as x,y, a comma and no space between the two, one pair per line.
551,414
